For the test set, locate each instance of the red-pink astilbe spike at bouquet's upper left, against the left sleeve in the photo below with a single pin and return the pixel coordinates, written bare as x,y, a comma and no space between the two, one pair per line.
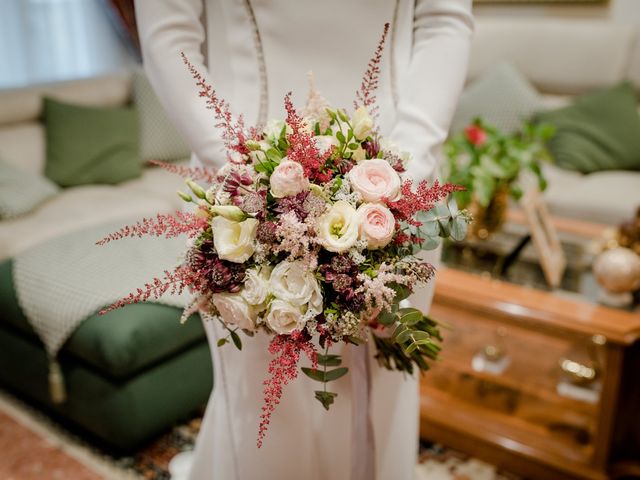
234,134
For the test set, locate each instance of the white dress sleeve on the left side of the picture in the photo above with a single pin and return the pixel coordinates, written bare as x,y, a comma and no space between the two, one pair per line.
166,29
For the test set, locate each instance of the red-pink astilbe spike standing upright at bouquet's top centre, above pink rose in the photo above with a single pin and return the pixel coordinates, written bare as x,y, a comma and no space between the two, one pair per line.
302,148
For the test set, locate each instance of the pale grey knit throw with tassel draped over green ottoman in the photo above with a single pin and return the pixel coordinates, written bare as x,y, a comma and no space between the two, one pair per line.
62,282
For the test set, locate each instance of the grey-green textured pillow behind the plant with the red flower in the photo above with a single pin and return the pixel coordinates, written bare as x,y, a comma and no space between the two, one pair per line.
503,97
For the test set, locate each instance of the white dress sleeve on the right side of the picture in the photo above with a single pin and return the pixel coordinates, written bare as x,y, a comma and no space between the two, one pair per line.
428,92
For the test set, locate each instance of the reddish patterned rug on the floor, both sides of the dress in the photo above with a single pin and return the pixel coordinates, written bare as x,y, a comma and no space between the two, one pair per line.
31,444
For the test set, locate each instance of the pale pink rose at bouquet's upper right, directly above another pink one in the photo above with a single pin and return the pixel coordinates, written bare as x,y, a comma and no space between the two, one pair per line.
374,180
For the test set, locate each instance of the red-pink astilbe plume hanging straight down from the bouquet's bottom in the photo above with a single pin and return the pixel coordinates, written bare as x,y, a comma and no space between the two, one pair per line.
283,368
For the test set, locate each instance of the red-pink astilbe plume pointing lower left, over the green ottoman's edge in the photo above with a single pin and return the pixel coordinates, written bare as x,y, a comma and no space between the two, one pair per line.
173,282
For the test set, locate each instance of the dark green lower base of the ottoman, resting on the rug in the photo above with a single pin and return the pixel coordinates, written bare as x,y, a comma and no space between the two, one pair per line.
124,414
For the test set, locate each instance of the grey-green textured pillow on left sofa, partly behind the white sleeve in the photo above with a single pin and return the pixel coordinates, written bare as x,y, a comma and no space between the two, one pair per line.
159,140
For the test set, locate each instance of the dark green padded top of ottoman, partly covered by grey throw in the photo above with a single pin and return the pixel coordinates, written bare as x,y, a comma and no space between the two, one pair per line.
119,344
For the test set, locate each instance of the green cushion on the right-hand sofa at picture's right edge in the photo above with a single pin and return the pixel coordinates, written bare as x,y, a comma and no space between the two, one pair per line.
600,131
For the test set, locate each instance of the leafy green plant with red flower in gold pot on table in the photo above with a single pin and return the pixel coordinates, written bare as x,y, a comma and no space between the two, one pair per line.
488,163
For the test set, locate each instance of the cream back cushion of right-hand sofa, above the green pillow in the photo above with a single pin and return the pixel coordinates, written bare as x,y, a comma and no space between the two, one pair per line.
558,56
